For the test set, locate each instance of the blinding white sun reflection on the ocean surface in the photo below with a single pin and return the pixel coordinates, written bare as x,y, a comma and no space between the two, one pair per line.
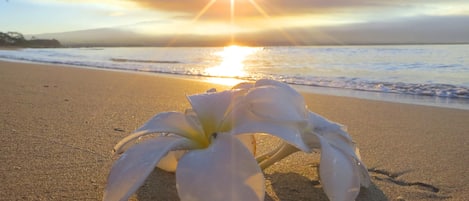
232,61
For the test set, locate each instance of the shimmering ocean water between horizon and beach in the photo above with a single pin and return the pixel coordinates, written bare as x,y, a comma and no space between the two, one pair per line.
421,74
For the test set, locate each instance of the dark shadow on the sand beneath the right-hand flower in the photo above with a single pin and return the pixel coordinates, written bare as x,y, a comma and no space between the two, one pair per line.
294,187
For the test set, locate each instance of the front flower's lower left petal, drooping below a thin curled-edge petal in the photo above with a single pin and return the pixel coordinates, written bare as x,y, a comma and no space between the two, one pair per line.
130,171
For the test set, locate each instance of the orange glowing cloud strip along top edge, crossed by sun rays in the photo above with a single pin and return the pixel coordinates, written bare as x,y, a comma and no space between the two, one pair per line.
245,8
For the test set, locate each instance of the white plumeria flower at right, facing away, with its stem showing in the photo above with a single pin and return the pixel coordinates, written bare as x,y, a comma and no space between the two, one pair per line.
341,170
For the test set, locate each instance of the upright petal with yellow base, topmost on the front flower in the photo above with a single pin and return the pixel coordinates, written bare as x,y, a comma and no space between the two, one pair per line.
211,109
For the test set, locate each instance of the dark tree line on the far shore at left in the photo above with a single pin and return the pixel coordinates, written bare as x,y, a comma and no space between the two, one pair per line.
16,39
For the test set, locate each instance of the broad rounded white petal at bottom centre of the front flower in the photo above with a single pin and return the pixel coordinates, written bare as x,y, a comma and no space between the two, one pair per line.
224,171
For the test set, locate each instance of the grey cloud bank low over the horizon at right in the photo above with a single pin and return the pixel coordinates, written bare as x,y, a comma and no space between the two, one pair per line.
414,30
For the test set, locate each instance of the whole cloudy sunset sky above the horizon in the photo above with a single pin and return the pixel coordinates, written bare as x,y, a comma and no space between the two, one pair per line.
283,21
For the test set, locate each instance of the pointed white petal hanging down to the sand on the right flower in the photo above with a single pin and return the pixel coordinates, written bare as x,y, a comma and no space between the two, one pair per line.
338,174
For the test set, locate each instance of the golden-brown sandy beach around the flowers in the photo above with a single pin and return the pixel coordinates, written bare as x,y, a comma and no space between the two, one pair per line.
59,125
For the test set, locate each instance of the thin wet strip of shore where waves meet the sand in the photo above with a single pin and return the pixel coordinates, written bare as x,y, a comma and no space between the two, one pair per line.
435,101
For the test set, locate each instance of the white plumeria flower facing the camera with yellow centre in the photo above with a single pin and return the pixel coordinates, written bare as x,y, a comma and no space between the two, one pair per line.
216,166
